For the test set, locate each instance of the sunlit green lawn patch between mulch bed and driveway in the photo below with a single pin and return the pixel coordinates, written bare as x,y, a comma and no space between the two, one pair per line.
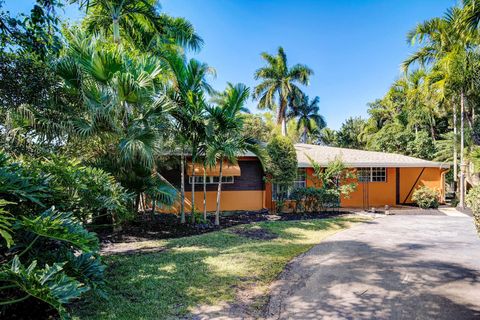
204,269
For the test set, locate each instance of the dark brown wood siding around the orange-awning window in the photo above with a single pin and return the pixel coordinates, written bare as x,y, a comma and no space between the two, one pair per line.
251,178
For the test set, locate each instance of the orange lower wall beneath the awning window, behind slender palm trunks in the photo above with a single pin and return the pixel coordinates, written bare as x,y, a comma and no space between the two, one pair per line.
229,201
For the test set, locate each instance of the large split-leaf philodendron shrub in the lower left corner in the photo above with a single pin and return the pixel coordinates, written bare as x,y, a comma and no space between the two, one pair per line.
46,254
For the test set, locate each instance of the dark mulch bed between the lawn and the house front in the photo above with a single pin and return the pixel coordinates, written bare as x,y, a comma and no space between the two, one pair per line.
167,226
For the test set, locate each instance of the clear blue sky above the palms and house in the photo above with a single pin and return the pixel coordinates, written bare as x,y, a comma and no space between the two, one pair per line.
354,47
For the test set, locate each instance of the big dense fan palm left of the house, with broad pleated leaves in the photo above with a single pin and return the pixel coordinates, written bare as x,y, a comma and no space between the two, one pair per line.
123,109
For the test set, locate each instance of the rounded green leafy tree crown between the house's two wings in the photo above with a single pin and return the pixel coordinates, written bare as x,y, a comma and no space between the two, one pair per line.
281,165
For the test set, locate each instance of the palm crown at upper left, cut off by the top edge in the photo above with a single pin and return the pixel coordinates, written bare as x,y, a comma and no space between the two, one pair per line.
139,21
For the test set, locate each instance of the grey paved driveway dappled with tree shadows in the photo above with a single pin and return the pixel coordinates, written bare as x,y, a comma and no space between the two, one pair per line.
395,267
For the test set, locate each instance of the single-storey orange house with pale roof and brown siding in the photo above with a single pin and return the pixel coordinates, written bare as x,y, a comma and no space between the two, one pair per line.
383,179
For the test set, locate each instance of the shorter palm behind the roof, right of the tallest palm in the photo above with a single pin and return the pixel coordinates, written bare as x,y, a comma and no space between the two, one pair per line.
306,112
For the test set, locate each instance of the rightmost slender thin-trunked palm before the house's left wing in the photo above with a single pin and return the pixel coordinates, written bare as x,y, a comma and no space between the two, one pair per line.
226,142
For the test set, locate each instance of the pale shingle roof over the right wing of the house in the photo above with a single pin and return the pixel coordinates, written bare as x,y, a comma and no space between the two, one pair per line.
358,158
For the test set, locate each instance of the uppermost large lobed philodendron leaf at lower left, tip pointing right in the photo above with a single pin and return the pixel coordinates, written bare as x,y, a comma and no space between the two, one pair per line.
63,227
